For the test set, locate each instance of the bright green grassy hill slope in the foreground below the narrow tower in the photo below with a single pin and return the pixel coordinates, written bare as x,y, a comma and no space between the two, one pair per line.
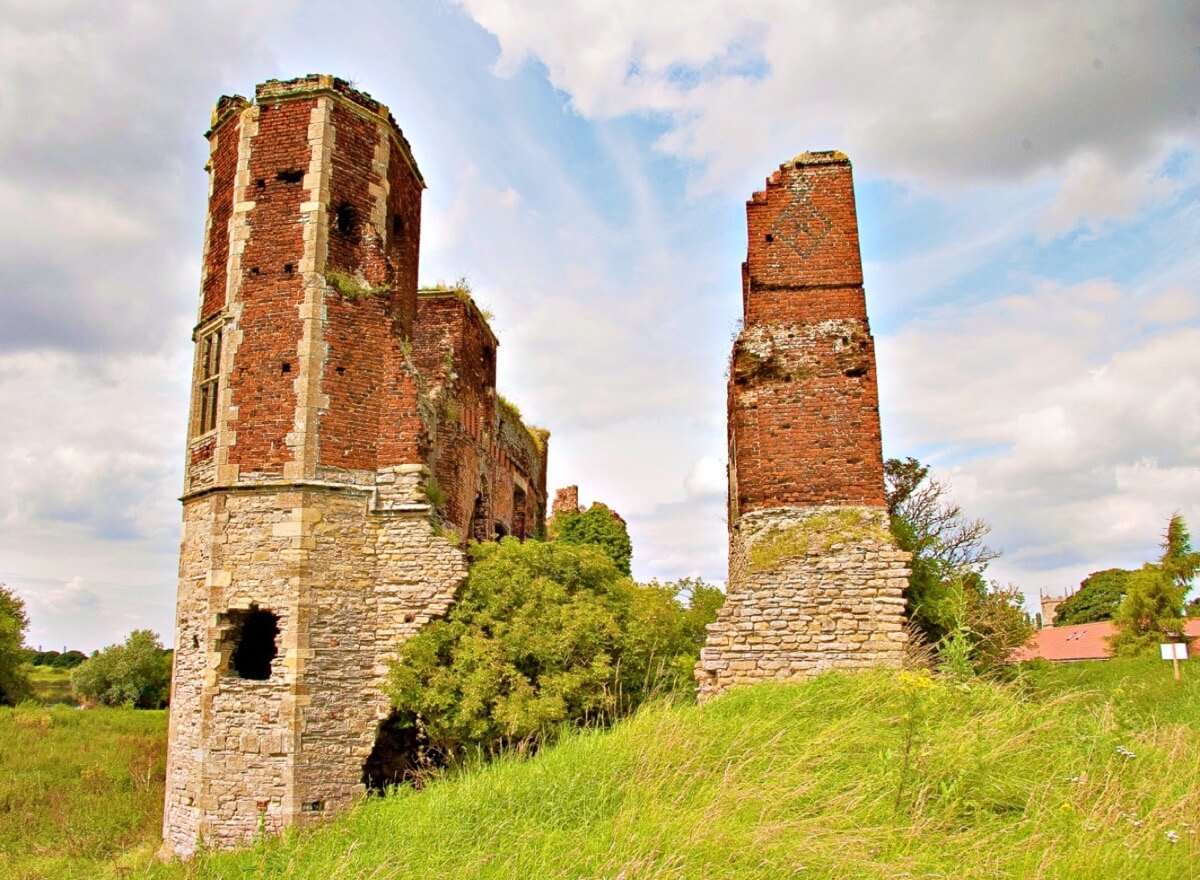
873,776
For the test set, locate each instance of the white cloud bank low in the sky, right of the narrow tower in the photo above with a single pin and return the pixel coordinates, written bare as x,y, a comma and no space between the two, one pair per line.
1059,418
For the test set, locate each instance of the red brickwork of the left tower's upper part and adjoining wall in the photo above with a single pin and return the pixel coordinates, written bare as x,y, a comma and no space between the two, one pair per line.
374,345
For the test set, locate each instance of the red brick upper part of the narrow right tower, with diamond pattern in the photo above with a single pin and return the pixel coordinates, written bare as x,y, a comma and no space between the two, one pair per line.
803,397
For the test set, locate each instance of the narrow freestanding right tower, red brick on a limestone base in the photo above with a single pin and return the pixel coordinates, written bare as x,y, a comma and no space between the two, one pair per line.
815,580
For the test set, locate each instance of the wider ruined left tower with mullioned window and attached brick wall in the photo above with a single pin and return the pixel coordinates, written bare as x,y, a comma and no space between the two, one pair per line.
345,439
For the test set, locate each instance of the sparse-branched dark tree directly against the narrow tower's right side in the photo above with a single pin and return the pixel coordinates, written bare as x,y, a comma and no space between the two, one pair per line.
947,548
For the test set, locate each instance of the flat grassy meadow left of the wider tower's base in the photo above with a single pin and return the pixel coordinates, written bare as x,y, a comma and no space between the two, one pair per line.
81,792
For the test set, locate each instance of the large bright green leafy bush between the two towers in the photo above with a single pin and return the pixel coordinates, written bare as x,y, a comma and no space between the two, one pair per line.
542,636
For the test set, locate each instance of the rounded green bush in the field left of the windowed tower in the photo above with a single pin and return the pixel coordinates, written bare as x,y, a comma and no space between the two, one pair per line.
134,674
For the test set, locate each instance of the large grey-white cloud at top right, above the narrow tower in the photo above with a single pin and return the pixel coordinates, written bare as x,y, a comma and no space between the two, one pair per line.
932,89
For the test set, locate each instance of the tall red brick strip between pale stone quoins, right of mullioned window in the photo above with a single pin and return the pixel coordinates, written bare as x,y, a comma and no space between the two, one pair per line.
263,393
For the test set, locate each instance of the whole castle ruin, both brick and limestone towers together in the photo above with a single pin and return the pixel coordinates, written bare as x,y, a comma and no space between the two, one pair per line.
346,441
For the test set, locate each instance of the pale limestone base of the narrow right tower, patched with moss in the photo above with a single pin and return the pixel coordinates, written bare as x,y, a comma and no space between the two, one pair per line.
811,590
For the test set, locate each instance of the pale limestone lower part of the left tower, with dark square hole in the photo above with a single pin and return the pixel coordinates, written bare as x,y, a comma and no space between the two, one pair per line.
349,583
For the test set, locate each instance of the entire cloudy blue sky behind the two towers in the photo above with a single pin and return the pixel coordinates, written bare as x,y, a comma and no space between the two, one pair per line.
1028,178
